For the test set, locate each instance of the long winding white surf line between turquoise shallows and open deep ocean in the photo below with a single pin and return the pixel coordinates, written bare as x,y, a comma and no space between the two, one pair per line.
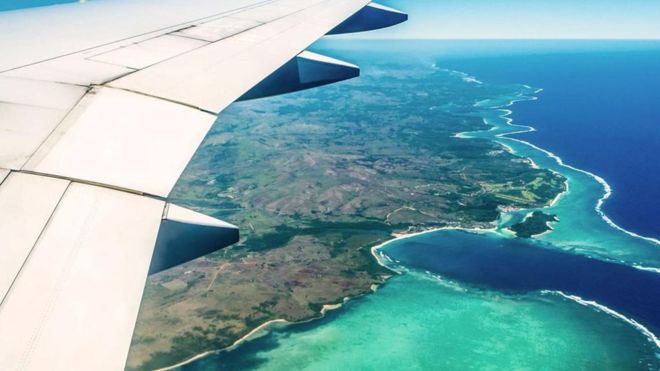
607,188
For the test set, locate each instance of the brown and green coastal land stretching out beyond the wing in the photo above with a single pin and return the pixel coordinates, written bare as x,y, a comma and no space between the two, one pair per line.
314,180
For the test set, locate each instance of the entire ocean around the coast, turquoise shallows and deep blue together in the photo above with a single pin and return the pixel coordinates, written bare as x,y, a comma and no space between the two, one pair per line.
583,296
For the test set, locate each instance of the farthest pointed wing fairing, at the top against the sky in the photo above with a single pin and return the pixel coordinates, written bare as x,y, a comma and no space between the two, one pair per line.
371,17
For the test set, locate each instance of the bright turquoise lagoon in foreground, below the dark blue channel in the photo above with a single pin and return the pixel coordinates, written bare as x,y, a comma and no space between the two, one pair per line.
418,322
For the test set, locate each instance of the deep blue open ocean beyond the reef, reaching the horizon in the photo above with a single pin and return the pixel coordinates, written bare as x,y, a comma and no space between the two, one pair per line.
599,111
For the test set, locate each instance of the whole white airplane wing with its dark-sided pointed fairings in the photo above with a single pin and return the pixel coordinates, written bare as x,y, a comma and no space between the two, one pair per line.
102,105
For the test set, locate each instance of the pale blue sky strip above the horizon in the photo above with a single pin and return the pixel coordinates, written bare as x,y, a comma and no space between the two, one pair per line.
525,19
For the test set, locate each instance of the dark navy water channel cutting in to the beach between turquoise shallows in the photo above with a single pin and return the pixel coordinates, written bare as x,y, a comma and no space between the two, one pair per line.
517,266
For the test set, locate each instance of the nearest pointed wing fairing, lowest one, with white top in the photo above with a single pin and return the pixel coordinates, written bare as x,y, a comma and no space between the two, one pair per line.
185,235
